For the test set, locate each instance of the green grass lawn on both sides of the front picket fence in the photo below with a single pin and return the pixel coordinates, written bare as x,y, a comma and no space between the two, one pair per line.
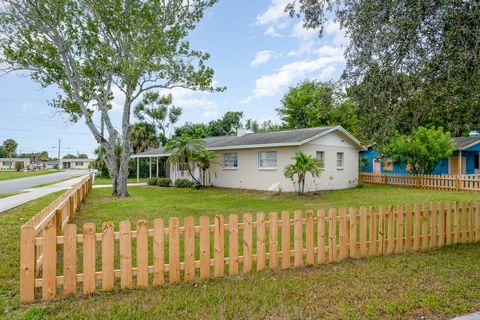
434,285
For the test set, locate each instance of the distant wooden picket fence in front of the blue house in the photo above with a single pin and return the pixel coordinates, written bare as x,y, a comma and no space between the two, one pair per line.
425,181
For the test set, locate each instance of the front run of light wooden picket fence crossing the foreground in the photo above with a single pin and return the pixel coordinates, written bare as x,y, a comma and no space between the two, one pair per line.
93,261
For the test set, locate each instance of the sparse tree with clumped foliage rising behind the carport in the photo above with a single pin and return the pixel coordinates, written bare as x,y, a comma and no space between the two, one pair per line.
159,111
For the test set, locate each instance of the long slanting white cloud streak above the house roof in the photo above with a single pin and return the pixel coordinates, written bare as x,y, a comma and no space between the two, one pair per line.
323,67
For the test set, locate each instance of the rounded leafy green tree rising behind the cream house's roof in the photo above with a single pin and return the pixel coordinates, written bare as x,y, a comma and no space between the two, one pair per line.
314,104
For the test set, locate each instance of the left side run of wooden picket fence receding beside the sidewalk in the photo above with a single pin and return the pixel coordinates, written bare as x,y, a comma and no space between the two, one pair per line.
54,217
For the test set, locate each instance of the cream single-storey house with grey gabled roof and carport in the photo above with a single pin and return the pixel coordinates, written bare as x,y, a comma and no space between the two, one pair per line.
257,160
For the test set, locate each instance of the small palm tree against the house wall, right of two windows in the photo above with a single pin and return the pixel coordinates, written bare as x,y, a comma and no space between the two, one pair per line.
303,164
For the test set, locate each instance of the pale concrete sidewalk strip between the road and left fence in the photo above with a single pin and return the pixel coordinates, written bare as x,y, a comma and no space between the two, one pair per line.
35,193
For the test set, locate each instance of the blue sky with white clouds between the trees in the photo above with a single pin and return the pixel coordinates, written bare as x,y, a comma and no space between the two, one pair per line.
257,52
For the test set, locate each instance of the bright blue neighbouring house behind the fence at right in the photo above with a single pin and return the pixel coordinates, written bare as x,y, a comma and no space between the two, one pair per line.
466,148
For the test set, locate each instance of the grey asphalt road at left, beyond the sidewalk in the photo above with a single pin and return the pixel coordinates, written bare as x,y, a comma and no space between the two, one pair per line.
15,185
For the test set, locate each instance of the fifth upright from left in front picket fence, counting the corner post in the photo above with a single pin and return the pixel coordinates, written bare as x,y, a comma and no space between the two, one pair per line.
108,256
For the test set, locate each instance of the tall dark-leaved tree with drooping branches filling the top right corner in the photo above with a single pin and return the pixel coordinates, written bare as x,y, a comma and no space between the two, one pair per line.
412,62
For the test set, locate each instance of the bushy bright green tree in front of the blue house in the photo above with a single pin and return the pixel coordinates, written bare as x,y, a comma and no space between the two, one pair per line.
422,150
